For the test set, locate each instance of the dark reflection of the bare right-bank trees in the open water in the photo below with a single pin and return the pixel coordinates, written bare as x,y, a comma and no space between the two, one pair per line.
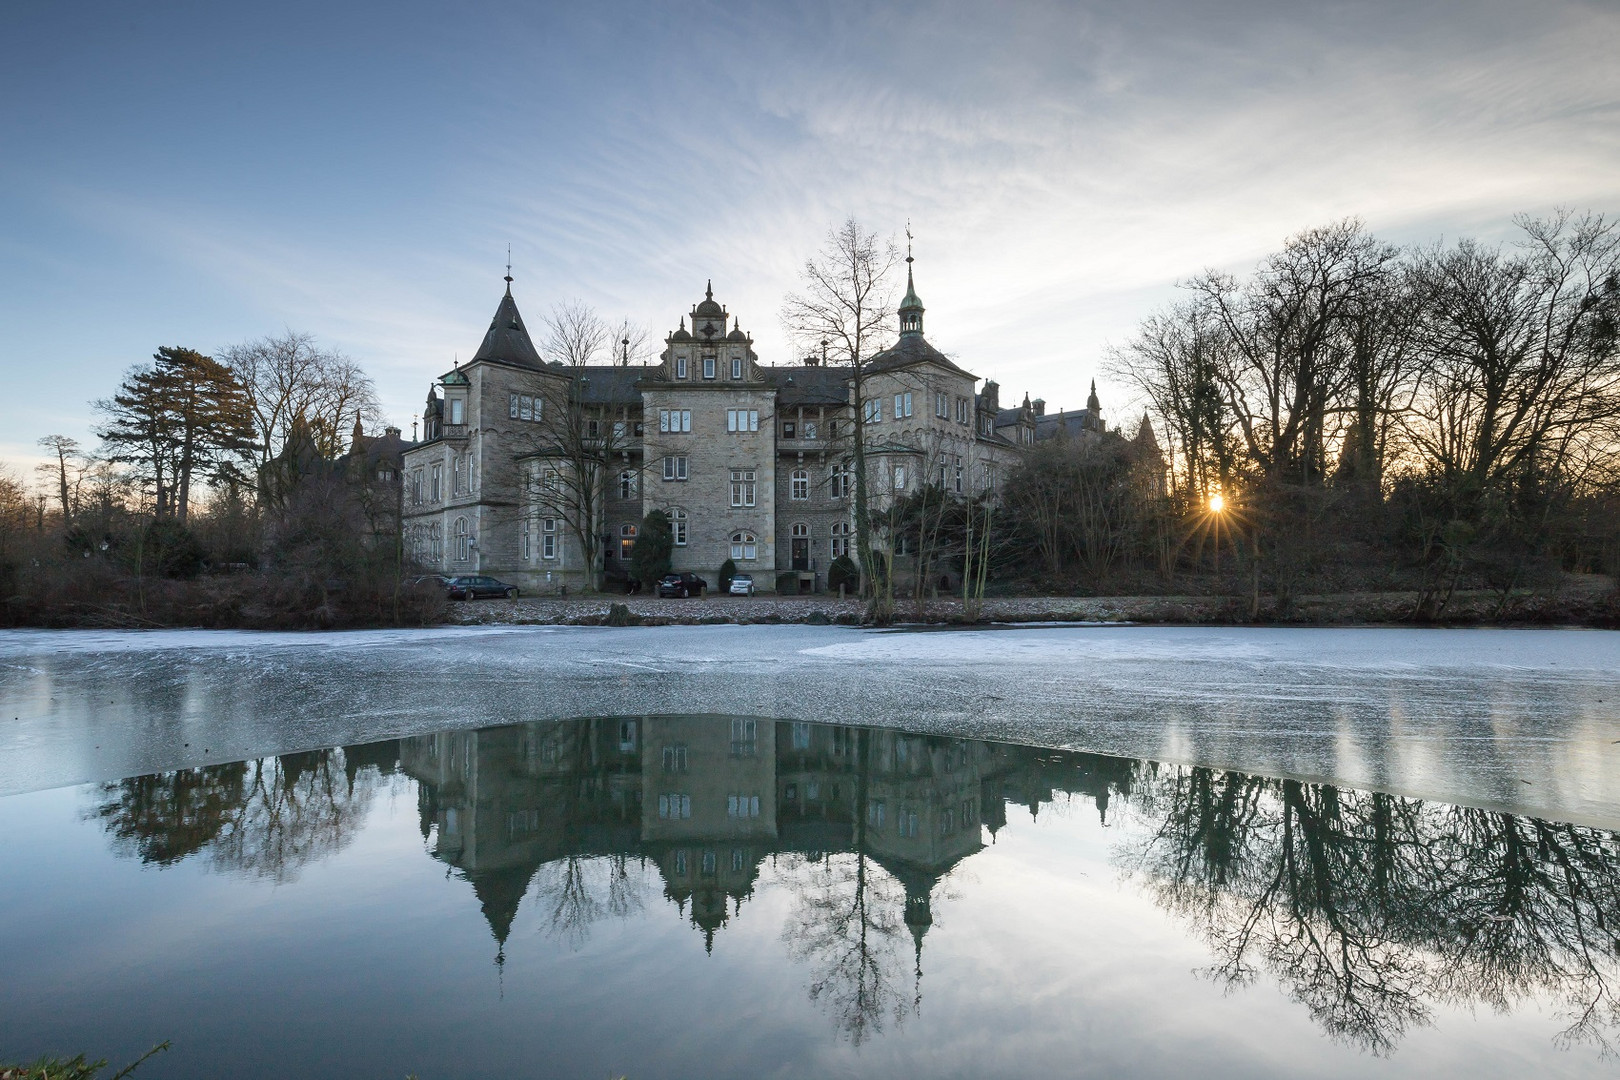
1370,908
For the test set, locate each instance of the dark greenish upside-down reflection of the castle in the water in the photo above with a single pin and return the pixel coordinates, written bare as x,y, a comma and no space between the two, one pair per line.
709,799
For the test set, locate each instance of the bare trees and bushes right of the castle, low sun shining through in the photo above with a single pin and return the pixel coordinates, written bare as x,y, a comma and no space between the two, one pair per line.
1349,417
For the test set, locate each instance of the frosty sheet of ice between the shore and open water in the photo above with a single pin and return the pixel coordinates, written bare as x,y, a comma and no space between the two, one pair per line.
1512,720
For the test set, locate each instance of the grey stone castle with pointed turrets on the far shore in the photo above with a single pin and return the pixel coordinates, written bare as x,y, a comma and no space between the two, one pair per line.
542,474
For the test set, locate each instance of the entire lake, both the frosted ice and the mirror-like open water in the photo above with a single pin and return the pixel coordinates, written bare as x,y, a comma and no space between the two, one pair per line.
814,851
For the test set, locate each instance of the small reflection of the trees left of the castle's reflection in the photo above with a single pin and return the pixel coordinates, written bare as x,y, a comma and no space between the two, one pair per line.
270,817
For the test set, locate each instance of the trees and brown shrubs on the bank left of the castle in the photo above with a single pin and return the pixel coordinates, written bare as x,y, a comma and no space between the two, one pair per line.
223,491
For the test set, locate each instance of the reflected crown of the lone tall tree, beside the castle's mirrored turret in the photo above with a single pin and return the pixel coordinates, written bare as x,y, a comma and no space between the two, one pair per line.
846,922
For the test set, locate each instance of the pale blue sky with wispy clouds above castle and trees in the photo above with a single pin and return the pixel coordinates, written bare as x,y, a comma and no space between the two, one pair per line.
203,174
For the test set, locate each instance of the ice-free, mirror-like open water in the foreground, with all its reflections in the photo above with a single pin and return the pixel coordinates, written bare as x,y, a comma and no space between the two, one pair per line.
605,896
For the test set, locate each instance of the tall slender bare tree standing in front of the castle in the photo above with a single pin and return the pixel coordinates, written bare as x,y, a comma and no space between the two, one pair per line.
848,302
